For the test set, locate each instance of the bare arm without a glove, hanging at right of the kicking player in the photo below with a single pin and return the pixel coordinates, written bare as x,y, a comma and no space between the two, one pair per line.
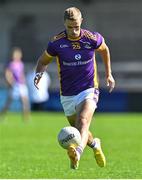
105,54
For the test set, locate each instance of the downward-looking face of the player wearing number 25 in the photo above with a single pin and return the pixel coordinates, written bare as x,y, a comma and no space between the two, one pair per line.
73,27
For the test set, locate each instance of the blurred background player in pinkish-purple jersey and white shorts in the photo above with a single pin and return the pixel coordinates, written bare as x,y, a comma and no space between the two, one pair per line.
17,88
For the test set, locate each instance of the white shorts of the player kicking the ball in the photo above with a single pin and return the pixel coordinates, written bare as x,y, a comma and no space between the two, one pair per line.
69,103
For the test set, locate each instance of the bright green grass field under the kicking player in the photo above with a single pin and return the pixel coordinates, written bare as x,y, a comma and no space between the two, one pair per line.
30,150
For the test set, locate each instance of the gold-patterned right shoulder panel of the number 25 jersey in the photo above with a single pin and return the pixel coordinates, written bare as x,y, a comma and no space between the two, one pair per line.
90,35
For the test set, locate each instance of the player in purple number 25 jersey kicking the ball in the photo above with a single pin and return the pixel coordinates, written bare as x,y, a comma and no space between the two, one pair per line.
74,49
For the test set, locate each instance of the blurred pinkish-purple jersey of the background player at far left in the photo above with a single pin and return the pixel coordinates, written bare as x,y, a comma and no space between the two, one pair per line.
17,69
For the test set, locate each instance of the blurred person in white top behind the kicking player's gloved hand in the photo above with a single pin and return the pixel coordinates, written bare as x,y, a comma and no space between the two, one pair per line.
38,97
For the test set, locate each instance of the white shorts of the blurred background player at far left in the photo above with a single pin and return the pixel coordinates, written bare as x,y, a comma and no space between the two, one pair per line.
19,90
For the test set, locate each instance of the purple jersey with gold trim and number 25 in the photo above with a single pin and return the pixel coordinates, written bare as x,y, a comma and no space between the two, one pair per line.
76,61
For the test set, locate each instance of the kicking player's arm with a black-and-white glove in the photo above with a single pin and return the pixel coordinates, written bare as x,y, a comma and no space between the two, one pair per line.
42,64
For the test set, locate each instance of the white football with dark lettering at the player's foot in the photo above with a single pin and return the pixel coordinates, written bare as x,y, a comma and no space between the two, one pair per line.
69,135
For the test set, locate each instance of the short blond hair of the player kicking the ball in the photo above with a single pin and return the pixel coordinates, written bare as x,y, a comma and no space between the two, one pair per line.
72,13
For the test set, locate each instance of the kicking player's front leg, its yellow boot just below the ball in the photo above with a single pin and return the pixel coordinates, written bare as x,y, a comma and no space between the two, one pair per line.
81,121
